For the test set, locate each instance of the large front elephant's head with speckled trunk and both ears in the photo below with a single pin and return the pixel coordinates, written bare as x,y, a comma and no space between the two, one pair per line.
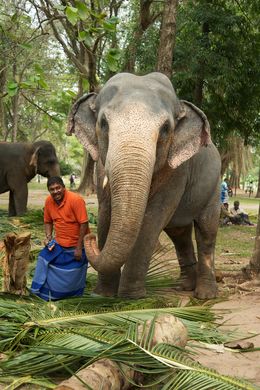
136,126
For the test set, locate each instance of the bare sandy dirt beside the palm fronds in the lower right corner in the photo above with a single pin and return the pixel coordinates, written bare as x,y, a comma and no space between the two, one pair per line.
244,316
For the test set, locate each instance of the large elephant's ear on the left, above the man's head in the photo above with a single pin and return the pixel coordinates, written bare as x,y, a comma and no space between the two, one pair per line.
82,122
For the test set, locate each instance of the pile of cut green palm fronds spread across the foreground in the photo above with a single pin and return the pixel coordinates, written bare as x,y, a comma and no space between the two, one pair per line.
44,341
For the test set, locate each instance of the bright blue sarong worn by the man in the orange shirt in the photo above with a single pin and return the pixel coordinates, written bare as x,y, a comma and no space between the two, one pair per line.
58,275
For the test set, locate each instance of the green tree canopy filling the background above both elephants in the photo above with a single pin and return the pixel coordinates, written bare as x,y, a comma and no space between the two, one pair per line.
54,51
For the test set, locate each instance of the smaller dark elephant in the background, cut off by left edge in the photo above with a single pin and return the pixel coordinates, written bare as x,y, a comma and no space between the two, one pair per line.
19,163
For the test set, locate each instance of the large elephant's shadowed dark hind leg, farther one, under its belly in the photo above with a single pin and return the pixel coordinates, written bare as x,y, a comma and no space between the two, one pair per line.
182,240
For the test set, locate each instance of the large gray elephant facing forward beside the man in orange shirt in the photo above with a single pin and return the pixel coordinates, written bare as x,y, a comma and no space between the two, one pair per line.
157,169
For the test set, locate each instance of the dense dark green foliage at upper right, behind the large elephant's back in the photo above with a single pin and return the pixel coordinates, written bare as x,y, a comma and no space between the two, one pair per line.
224,41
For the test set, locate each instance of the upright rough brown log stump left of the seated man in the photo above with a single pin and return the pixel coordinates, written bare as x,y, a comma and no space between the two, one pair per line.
15,263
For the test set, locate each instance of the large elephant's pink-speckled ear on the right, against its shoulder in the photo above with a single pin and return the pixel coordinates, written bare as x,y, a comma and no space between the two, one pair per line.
191,133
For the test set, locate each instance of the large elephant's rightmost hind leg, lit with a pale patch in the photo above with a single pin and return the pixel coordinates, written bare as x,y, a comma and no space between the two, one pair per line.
205,232
